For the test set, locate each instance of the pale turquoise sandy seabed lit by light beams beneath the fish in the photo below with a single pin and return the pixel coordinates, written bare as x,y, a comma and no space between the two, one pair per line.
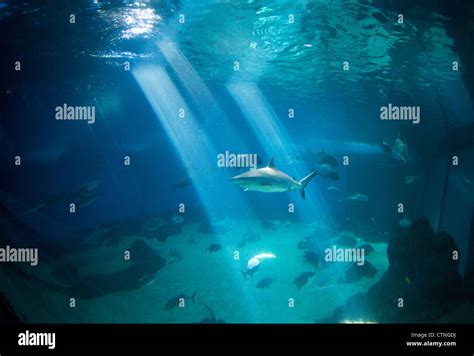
215,276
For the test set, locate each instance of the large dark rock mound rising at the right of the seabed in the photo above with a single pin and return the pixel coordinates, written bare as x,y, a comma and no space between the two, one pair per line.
421,271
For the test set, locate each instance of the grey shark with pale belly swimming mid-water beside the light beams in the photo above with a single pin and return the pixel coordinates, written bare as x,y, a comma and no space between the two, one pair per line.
271,180
